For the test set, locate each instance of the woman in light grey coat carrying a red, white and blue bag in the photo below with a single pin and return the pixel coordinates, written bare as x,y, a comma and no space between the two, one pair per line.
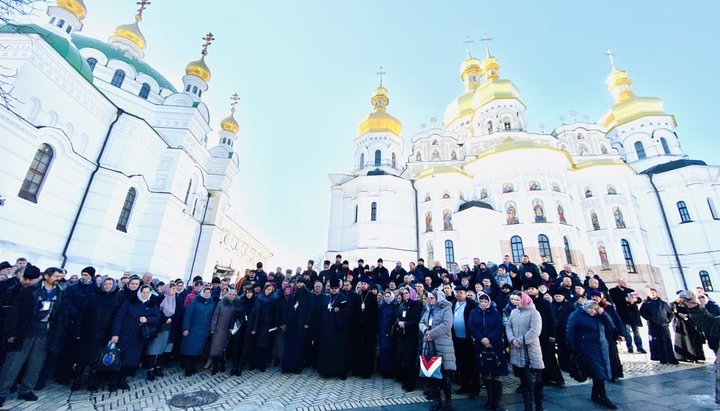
436,329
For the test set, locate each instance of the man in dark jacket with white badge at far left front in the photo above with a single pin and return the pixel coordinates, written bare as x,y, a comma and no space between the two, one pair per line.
36,326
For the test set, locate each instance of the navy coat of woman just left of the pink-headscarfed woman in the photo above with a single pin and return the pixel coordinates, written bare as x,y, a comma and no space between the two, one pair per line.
488,324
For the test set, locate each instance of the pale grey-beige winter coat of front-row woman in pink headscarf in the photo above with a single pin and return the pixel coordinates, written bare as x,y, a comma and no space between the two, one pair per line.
525,324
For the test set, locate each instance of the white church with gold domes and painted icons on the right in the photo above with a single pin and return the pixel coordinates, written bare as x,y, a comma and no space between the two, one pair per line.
618,197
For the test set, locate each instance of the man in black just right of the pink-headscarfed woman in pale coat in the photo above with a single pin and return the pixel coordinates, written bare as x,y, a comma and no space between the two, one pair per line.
551,372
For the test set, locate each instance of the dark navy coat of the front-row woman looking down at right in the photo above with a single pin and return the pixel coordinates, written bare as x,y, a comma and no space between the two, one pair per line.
585,335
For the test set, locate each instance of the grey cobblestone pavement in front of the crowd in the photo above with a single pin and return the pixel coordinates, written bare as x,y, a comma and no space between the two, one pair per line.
272,390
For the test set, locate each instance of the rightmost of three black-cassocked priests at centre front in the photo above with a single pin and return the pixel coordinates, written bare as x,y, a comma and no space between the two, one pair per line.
365,329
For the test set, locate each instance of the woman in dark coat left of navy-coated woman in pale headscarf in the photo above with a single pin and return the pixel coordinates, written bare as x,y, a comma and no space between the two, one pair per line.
95,328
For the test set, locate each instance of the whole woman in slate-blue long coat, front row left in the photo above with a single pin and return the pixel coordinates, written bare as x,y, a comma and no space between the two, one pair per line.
196,328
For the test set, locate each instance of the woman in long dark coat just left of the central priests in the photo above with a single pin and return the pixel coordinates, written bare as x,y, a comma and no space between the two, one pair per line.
264,323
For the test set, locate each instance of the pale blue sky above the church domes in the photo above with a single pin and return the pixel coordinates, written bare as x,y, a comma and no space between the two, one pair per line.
305,71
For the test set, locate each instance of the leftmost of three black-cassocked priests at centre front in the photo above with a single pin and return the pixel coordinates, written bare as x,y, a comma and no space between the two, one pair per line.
296,326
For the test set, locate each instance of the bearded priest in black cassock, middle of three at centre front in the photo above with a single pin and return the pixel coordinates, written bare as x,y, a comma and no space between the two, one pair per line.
334,334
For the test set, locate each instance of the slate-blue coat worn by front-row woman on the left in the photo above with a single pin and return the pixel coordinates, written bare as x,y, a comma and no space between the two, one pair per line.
196,321
